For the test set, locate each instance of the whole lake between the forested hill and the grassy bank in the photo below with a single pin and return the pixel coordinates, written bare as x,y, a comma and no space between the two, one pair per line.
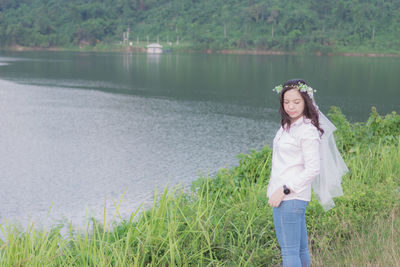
79,130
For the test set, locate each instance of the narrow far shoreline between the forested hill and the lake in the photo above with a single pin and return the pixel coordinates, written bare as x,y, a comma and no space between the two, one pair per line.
142,49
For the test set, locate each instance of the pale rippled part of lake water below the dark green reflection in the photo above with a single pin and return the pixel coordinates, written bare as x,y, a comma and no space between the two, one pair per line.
64,151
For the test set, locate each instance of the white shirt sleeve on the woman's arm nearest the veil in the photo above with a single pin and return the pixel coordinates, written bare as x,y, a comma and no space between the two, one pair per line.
310,151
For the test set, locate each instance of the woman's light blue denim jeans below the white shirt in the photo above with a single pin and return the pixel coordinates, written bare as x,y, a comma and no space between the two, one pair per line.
291,232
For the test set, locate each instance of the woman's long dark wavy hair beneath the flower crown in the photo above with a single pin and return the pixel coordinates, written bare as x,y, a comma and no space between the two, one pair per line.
310,111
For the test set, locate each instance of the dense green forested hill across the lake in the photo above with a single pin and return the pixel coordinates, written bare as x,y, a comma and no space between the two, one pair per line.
309,25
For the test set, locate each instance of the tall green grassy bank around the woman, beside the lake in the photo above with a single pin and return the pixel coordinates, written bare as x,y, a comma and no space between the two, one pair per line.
225,220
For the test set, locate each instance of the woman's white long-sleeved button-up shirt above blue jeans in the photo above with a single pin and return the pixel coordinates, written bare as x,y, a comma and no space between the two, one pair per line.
295,159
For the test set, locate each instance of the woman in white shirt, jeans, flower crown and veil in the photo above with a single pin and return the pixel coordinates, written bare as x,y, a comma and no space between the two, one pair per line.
302,148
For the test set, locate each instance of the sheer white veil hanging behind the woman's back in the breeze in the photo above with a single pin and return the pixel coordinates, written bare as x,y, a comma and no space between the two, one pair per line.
327,184
